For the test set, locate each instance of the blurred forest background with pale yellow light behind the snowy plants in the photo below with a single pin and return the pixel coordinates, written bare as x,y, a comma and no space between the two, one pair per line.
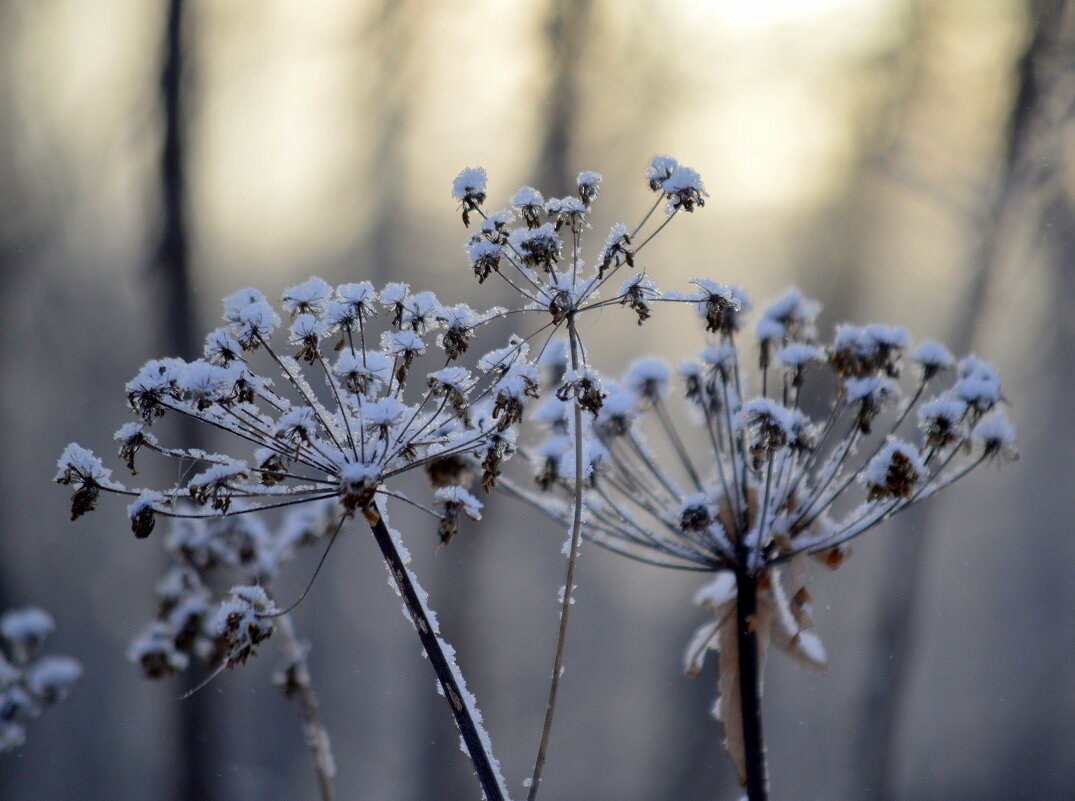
907,162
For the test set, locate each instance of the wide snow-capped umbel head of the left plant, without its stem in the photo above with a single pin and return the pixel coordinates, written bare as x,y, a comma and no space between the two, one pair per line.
323,427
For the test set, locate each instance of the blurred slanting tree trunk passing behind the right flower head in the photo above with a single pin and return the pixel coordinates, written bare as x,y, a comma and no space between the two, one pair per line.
1031,154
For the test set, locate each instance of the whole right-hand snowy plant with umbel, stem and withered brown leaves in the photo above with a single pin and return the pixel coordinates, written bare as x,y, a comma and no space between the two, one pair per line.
784,478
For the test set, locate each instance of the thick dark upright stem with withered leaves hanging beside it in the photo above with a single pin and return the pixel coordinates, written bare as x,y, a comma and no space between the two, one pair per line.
754,746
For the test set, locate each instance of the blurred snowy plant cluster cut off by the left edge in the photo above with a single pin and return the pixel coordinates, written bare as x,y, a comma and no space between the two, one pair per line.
31,682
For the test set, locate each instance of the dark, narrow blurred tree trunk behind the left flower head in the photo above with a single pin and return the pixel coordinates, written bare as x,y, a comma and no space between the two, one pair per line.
196,759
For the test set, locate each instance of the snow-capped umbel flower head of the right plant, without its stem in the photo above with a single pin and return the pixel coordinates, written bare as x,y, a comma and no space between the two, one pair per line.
784,483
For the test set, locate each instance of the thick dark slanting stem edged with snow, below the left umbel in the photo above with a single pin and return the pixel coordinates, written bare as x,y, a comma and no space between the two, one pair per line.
477,747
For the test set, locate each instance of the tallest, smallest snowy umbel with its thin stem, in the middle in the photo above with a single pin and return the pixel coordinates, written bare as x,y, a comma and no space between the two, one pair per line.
536,247
